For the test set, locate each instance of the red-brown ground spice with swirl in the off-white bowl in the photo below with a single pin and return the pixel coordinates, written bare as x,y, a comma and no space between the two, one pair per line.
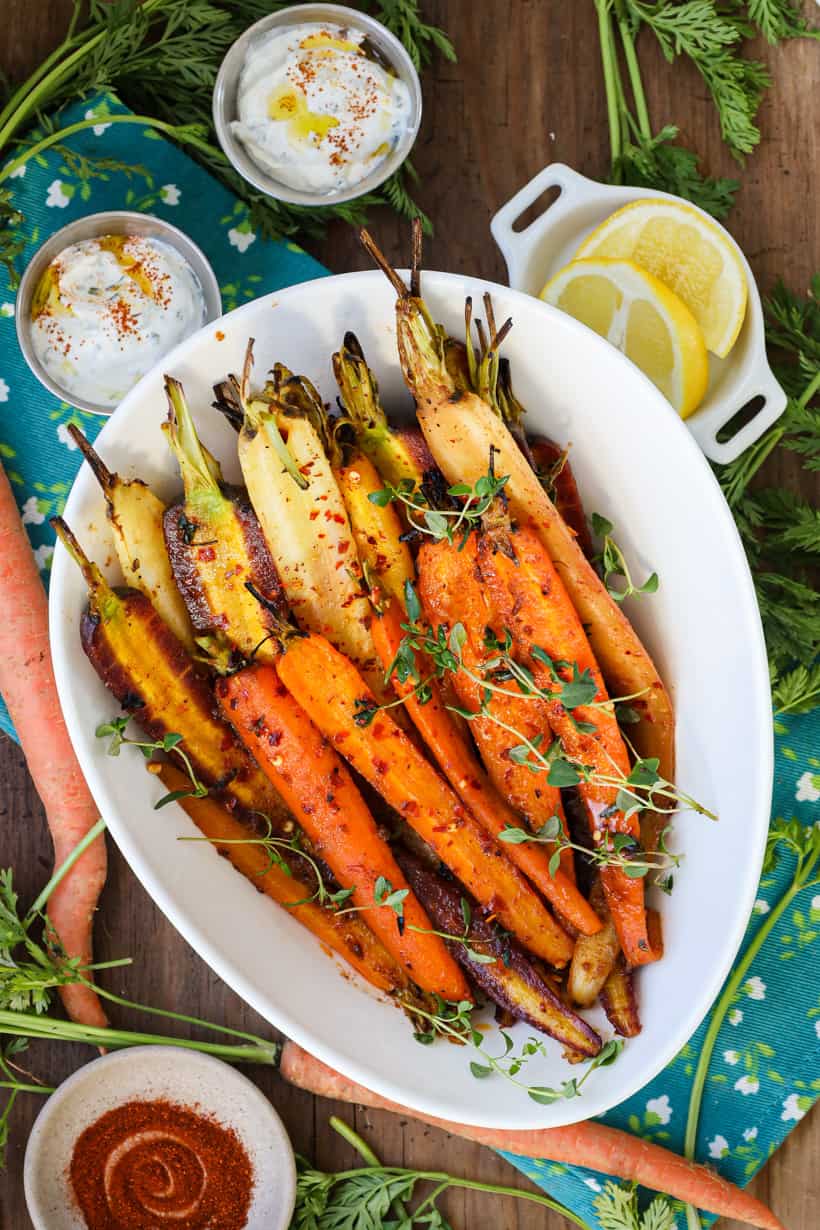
146,1165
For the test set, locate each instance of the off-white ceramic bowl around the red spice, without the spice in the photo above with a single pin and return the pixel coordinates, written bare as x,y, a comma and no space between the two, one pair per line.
39,1137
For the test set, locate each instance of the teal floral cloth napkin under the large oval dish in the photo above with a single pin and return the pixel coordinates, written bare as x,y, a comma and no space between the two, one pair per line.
765,1073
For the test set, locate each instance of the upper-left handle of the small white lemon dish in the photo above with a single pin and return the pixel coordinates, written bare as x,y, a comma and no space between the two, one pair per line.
517,247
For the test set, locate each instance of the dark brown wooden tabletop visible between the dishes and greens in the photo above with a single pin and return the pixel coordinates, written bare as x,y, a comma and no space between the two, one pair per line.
527,92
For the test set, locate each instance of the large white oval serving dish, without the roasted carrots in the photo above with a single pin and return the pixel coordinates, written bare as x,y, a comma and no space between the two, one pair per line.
637,464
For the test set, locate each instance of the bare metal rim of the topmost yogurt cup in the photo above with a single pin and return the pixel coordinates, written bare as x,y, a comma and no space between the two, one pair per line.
226,90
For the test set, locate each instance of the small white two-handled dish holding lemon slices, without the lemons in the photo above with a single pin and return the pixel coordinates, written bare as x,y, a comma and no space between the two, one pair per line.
539,250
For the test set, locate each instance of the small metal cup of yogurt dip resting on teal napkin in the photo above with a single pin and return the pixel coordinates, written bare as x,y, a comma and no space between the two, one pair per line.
58,345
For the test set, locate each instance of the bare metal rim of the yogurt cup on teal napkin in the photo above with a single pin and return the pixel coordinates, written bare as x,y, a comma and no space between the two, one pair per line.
111,222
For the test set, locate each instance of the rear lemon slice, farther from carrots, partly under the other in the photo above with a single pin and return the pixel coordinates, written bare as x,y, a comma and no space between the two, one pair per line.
690,255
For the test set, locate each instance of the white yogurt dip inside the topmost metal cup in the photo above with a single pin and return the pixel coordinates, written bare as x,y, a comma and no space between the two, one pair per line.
317,111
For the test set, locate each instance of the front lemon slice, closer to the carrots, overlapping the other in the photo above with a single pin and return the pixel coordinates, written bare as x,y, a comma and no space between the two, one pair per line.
637,313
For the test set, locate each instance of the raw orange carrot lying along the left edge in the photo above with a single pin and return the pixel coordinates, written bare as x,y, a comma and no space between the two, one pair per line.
30,692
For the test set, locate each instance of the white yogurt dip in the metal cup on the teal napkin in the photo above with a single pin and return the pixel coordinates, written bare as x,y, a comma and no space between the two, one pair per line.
108,309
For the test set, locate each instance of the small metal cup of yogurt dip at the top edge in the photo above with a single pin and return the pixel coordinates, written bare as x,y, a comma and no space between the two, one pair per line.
243,110
